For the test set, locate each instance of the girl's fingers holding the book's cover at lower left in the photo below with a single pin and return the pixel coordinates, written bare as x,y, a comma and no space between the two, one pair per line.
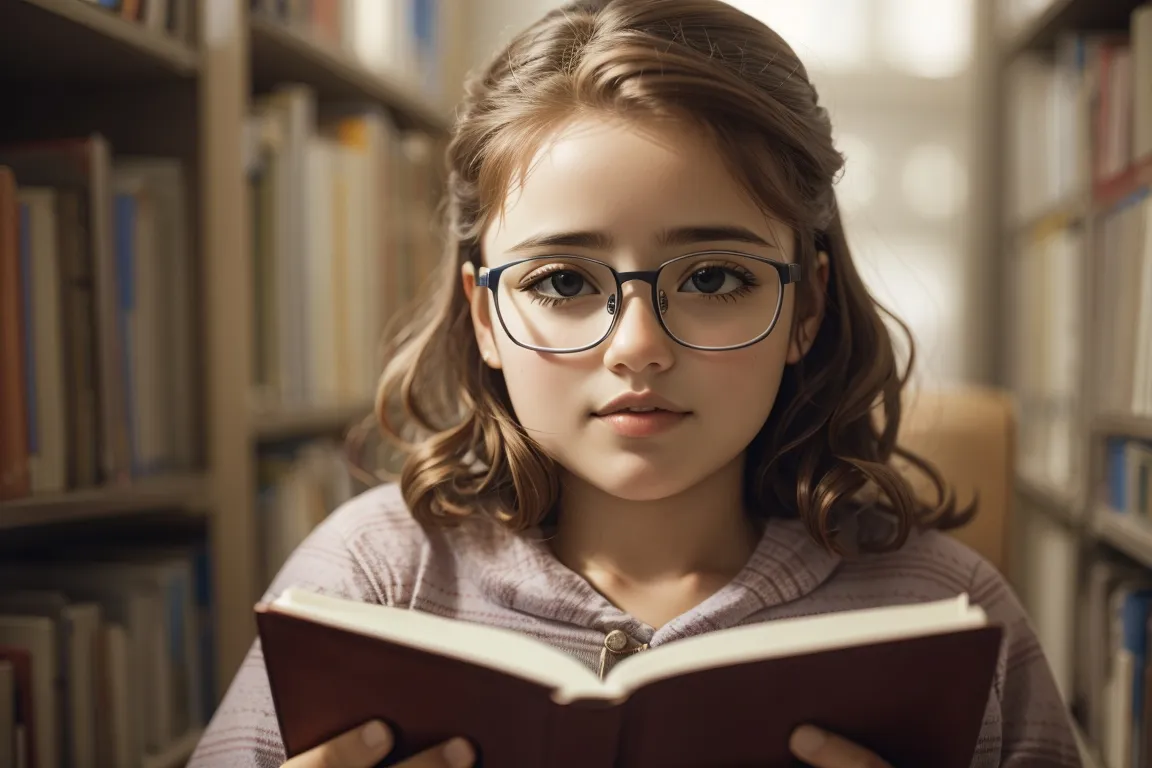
365,747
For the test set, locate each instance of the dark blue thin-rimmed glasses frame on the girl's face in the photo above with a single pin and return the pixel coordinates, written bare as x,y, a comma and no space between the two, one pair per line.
790,275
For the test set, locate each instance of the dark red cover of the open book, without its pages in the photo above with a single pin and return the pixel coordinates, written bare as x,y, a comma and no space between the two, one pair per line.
915,702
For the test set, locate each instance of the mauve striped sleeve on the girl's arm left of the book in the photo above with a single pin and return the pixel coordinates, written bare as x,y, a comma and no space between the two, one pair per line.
244,732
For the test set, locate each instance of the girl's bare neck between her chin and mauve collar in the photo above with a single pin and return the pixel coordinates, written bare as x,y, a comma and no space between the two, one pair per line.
701,534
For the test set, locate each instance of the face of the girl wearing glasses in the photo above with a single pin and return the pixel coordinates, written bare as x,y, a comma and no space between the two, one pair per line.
633,199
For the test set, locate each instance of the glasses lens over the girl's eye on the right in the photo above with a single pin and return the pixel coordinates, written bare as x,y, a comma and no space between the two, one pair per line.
719,300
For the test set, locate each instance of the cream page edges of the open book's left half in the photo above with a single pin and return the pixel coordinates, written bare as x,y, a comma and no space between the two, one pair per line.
497,649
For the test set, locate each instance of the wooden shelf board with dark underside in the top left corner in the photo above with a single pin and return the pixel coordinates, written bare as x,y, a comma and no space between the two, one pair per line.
81,42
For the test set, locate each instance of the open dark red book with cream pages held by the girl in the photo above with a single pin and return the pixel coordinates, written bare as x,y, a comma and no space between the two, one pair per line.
910,682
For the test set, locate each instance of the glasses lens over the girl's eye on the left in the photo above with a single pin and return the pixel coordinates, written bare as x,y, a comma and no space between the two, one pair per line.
557,303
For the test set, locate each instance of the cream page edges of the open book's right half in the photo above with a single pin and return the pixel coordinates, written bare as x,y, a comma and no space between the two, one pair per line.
793,637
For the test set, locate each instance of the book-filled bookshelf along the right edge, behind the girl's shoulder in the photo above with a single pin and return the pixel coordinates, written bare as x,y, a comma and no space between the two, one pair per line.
1072,165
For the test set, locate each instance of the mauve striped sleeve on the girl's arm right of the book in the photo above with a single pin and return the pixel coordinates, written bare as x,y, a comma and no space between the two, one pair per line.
1027,709
